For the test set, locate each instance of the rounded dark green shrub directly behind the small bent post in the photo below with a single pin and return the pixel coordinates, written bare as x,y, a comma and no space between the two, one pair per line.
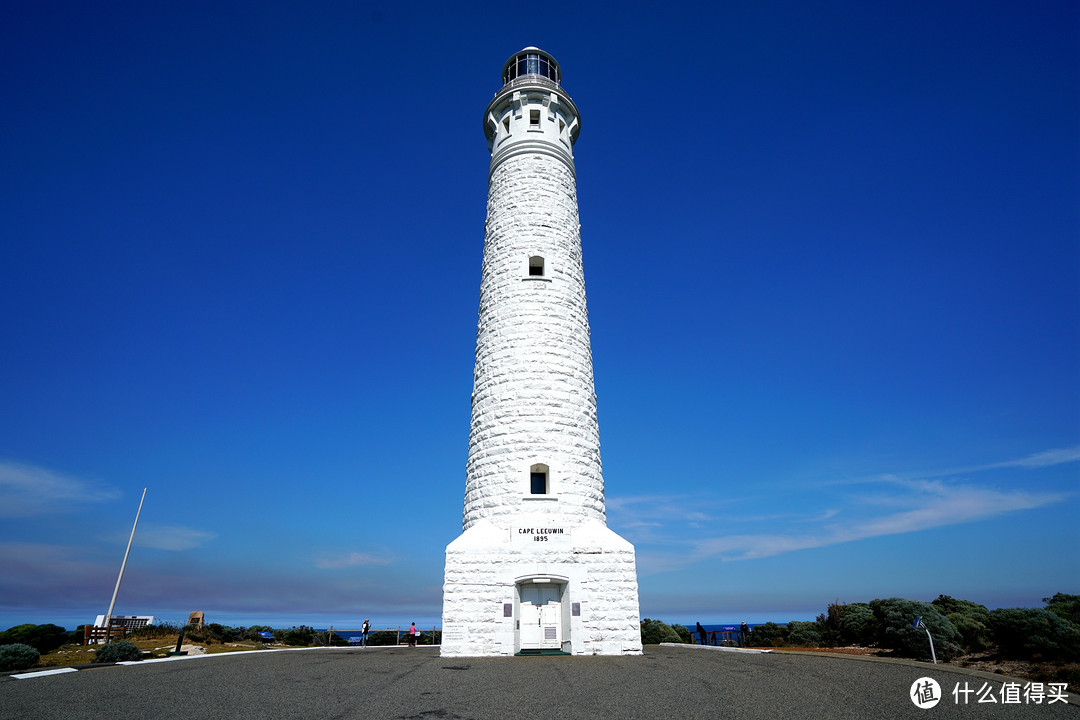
896,631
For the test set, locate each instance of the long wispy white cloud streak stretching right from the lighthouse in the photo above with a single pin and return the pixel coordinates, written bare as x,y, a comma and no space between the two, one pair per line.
682,529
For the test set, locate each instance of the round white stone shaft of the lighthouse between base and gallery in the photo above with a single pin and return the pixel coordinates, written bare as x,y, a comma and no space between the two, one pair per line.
533,395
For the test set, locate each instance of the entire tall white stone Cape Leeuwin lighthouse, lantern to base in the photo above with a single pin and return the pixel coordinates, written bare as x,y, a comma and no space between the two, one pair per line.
536,569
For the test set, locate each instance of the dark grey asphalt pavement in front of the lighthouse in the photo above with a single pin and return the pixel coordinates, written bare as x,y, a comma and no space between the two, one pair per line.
418,685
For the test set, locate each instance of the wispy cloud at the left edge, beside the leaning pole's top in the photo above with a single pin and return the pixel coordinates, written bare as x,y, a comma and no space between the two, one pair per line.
29,491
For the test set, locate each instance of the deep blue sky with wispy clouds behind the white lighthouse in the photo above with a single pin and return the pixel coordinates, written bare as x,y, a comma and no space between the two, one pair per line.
833,269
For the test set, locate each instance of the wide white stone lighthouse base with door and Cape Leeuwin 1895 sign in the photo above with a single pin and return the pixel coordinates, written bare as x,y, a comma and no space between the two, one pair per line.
539,586
